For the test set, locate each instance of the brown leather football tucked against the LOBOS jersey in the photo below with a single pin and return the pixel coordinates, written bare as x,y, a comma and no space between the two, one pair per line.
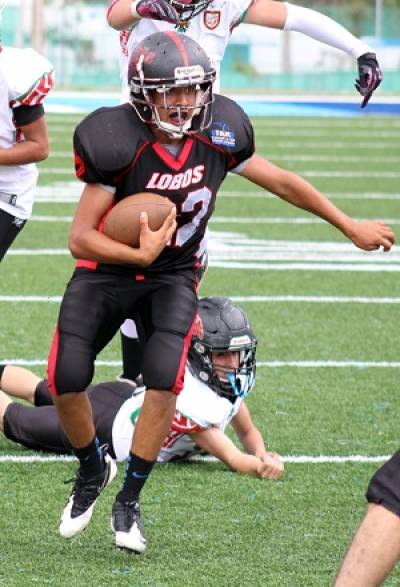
122,223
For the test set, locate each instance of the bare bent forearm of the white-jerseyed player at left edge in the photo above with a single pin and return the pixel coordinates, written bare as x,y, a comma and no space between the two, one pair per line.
34,147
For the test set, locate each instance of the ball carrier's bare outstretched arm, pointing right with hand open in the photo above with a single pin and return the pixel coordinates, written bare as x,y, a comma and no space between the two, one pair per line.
367,235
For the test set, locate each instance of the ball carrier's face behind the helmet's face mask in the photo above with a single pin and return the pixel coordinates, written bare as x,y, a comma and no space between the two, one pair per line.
176,105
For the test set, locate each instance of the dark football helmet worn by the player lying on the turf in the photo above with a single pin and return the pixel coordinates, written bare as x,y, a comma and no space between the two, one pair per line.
223,327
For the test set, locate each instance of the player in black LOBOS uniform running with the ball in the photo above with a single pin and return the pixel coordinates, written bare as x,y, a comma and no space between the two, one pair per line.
176,140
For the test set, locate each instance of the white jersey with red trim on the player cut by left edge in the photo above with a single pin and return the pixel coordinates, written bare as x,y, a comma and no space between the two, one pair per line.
25,79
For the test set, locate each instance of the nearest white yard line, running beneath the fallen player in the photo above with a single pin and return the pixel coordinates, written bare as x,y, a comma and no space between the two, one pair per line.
295,459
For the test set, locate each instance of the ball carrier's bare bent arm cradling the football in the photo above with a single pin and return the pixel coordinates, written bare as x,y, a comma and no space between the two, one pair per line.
85,241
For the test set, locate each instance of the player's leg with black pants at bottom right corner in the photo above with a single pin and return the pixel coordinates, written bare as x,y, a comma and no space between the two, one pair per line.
375,549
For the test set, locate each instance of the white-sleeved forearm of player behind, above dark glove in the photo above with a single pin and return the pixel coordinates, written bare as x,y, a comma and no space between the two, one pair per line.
323,29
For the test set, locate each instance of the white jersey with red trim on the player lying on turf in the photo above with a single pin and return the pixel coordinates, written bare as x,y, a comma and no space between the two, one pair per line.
197,408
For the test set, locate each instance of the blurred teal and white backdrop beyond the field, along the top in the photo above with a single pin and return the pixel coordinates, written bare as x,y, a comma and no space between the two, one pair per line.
84,50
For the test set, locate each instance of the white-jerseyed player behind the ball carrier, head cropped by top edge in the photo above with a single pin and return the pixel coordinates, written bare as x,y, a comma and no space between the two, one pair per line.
210,23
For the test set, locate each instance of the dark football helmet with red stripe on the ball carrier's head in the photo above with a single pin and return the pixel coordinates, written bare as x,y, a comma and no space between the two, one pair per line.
163,61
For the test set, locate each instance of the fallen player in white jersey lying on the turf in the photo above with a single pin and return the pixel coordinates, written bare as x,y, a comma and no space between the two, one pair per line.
203,410
